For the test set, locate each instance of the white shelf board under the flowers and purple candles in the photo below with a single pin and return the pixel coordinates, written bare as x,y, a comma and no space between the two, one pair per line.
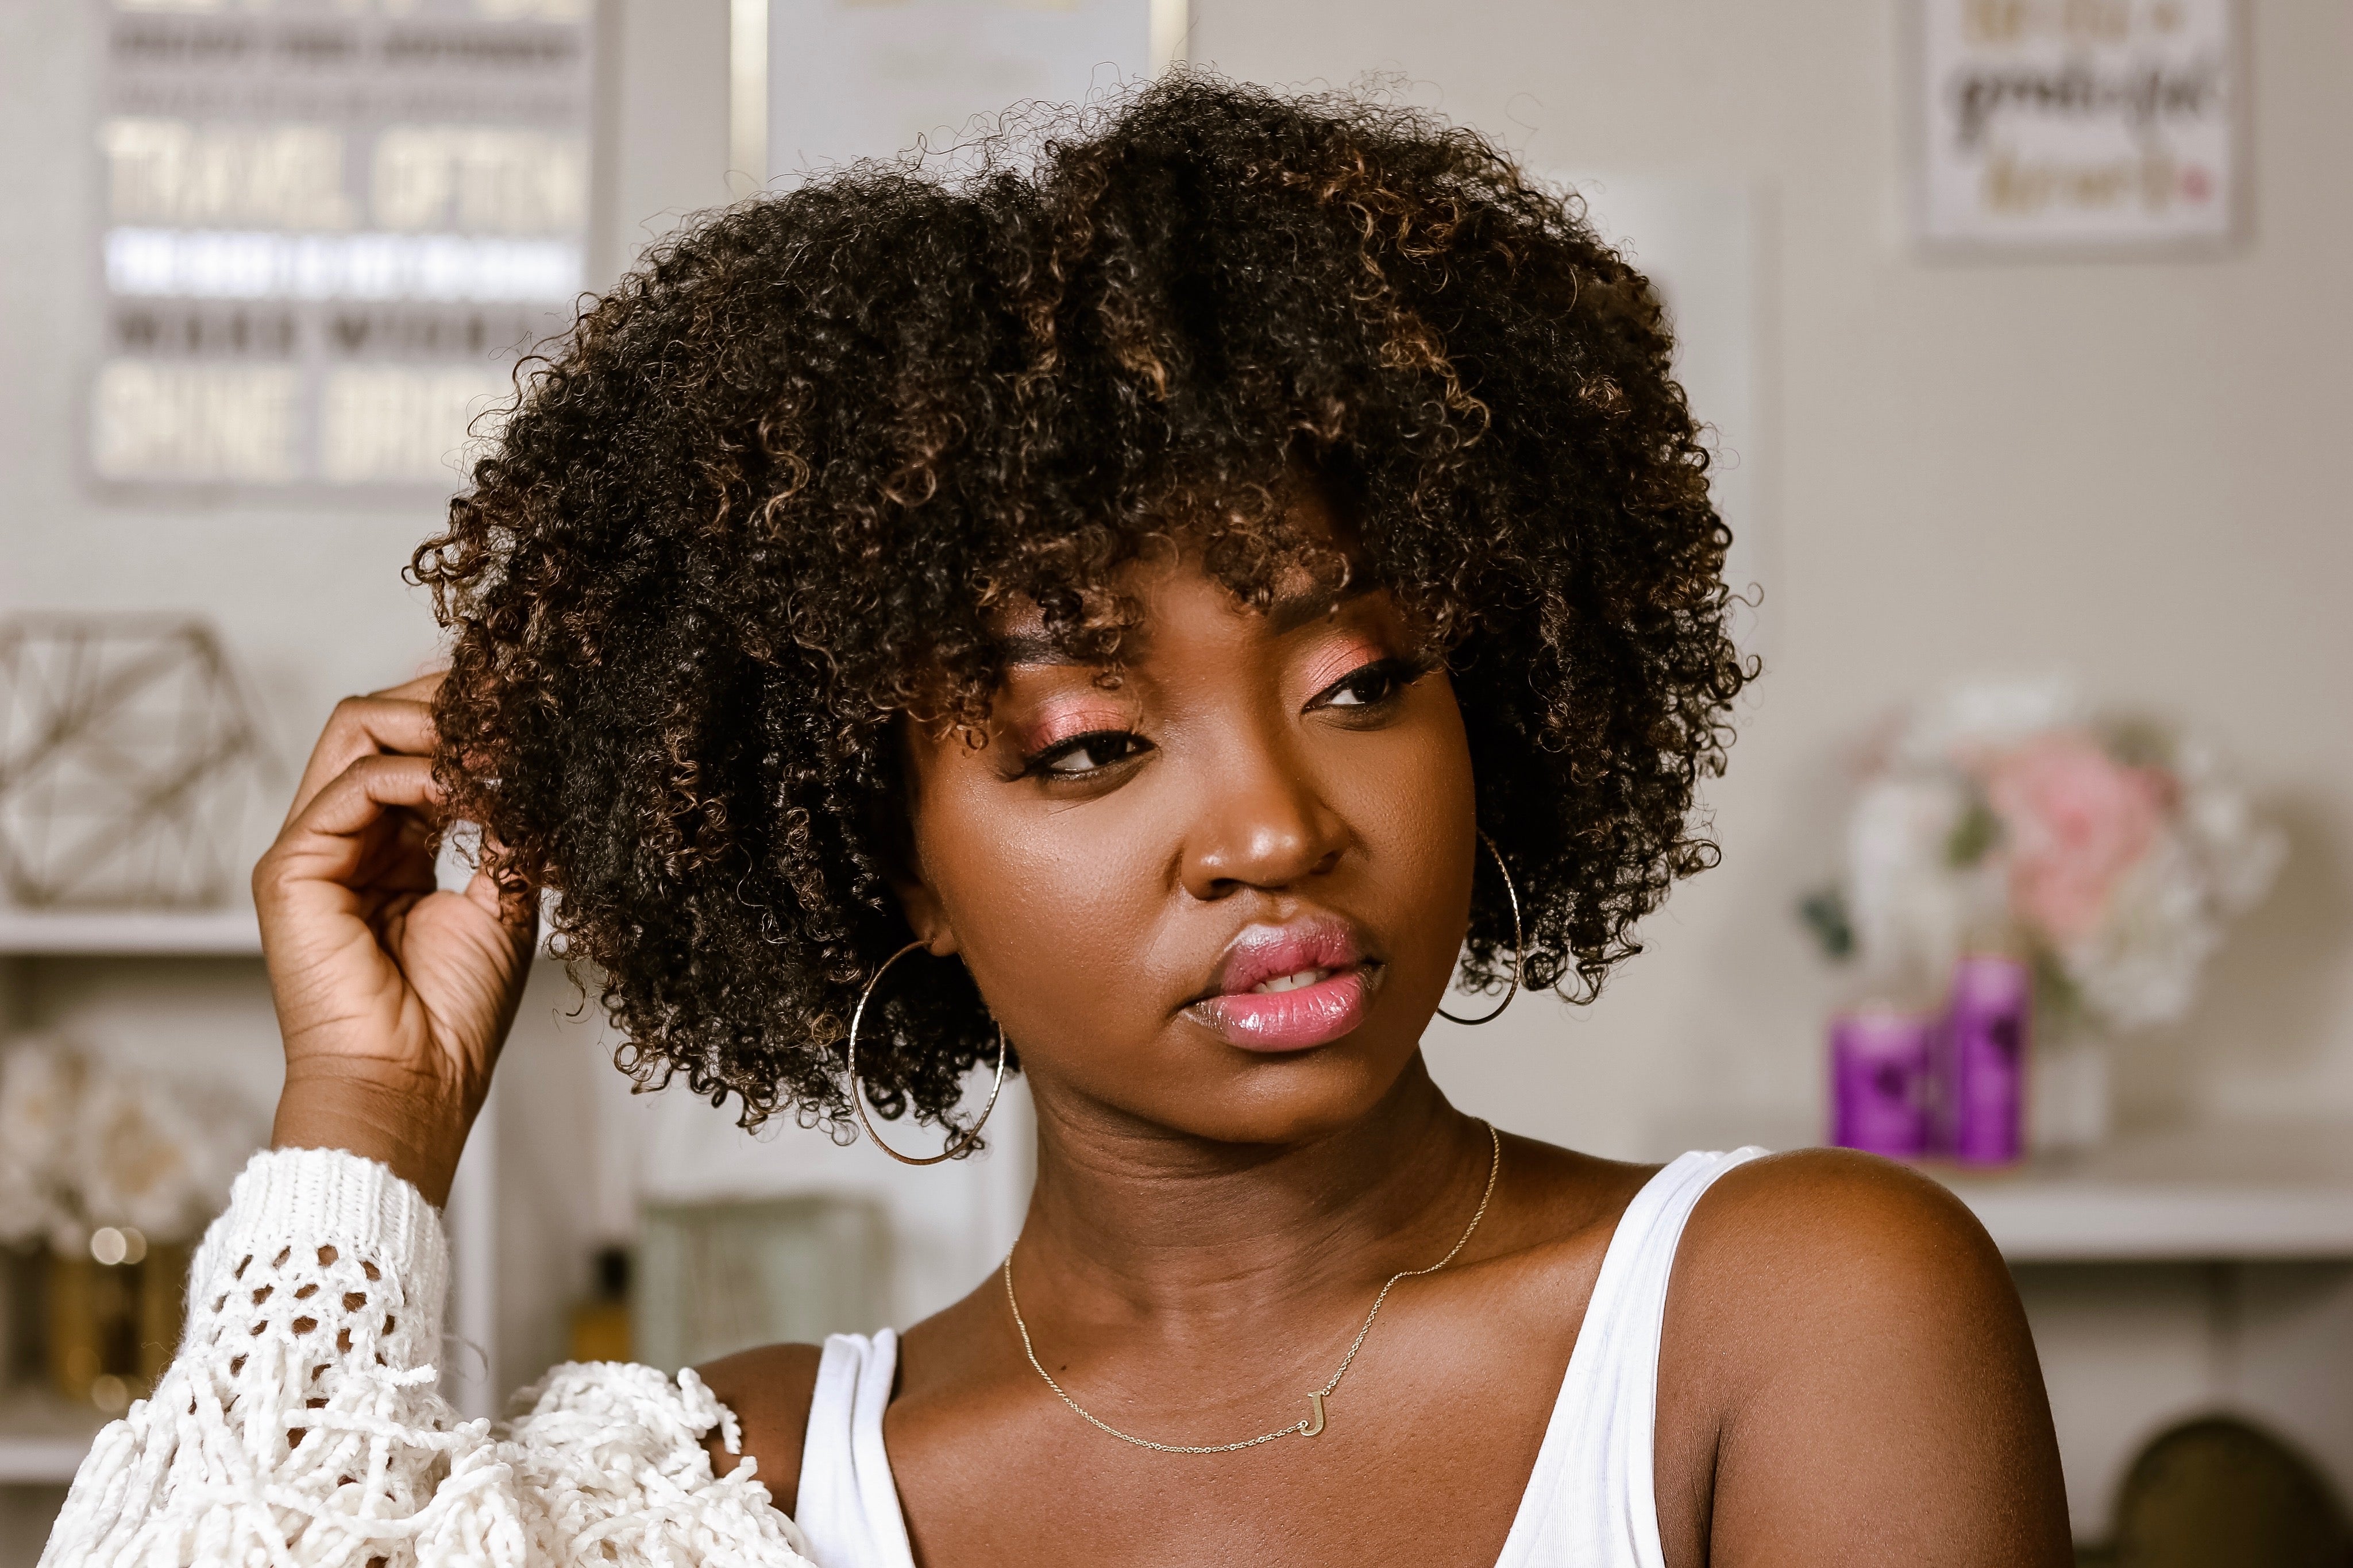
2222,1195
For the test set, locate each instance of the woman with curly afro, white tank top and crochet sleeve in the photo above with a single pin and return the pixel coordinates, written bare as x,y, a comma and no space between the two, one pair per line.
1199,589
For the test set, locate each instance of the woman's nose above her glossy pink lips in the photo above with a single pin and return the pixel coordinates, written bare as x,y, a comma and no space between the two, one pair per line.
1262,826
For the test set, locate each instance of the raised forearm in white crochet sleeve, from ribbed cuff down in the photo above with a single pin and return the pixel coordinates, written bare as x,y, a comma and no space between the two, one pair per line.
302,1398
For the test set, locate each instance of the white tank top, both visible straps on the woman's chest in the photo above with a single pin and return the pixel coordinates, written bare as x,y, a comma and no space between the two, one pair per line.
1589,1501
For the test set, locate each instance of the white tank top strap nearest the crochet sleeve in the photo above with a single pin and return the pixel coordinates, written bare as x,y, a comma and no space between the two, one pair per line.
848,1503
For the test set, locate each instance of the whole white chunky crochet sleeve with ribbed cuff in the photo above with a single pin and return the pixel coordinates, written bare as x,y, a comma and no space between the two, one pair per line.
300,1423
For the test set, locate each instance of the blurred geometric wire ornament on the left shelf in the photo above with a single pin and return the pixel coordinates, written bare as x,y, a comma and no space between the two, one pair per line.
128,763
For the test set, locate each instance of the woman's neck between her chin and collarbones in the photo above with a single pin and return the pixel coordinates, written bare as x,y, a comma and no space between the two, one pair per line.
1142,1226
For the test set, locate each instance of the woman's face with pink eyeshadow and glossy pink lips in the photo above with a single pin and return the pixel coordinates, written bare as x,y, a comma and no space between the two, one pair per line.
1225,894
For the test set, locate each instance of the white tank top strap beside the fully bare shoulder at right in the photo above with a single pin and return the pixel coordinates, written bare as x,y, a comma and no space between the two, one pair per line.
1592,1496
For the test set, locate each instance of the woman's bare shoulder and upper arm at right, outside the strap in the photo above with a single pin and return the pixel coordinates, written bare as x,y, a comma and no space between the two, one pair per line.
1848,1376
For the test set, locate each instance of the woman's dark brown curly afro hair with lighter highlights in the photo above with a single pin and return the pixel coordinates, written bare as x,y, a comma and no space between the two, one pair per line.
761,507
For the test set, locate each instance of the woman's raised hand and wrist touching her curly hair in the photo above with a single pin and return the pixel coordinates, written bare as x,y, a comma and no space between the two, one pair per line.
392,996
